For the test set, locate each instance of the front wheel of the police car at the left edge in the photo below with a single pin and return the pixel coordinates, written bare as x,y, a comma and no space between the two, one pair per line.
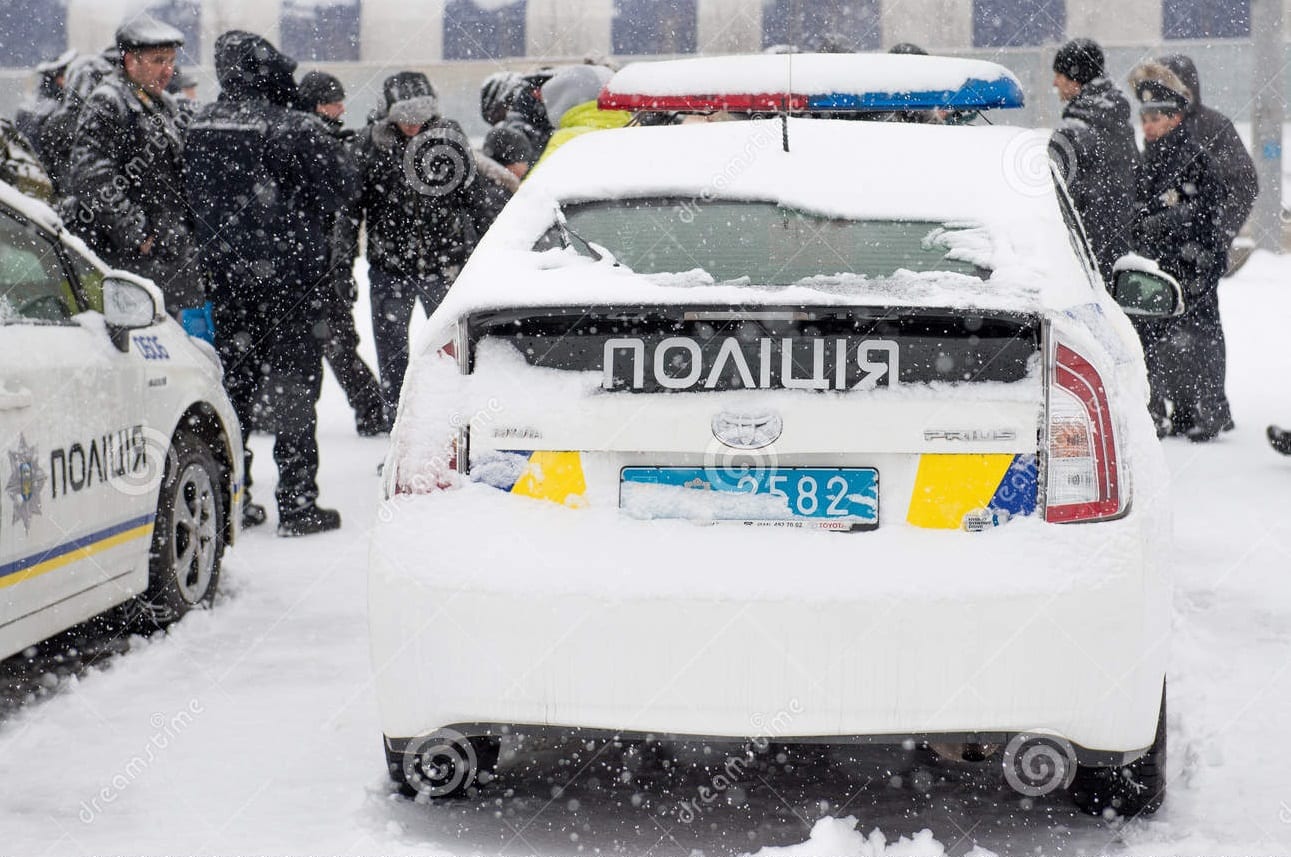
189,534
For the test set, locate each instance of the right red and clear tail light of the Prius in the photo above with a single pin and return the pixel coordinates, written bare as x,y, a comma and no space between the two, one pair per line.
1084,478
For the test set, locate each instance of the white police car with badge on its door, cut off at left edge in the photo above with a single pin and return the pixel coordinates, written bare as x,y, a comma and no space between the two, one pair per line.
119,452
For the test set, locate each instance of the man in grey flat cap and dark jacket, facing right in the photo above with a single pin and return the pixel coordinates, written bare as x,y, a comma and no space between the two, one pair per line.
127,168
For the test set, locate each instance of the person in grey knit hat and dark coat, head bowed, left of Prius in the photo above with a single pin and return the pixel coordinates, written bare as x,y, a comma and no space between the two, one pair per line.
425,205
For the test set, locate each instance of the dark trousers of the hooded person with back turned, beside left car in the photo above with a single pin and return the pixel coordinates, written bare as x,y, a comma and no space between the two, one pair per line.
274,375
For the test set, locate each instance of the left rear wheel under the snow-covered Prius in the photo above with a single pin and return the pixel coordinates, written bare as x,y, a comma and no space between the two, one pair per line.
445,765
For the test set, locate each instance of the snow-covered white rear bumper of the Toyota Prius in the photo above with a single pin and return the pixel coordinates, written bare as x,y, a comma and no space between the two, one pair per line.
778,634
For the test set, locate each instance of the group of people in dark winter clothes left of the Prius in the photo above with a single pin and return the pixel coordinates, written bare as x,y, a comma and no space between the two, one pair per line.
247,212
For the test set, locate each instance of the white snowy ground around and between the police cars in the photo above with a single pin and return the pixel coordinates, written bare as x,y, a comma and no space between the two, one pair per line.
252,727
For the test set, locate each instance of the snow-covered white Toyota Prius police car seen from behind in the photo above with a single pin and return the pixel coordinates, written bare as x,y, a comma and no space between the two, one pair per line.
686,358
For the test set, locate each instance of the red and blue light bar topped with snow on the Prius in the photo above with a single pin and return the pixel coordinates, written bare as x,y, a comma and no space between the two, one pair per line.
813,83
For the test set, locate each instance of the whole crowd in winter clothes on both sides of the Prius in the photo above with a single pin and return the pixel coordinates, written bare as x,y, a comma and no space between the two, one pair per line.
247,212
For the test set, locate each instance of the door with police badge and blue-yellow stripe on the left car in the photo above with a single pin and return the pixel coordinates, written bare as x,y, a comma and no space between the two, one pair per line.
76,513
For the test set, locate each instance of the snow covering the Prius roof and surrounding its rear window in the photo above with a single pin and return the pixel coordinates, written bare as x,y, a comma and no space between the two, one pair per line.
991,177
